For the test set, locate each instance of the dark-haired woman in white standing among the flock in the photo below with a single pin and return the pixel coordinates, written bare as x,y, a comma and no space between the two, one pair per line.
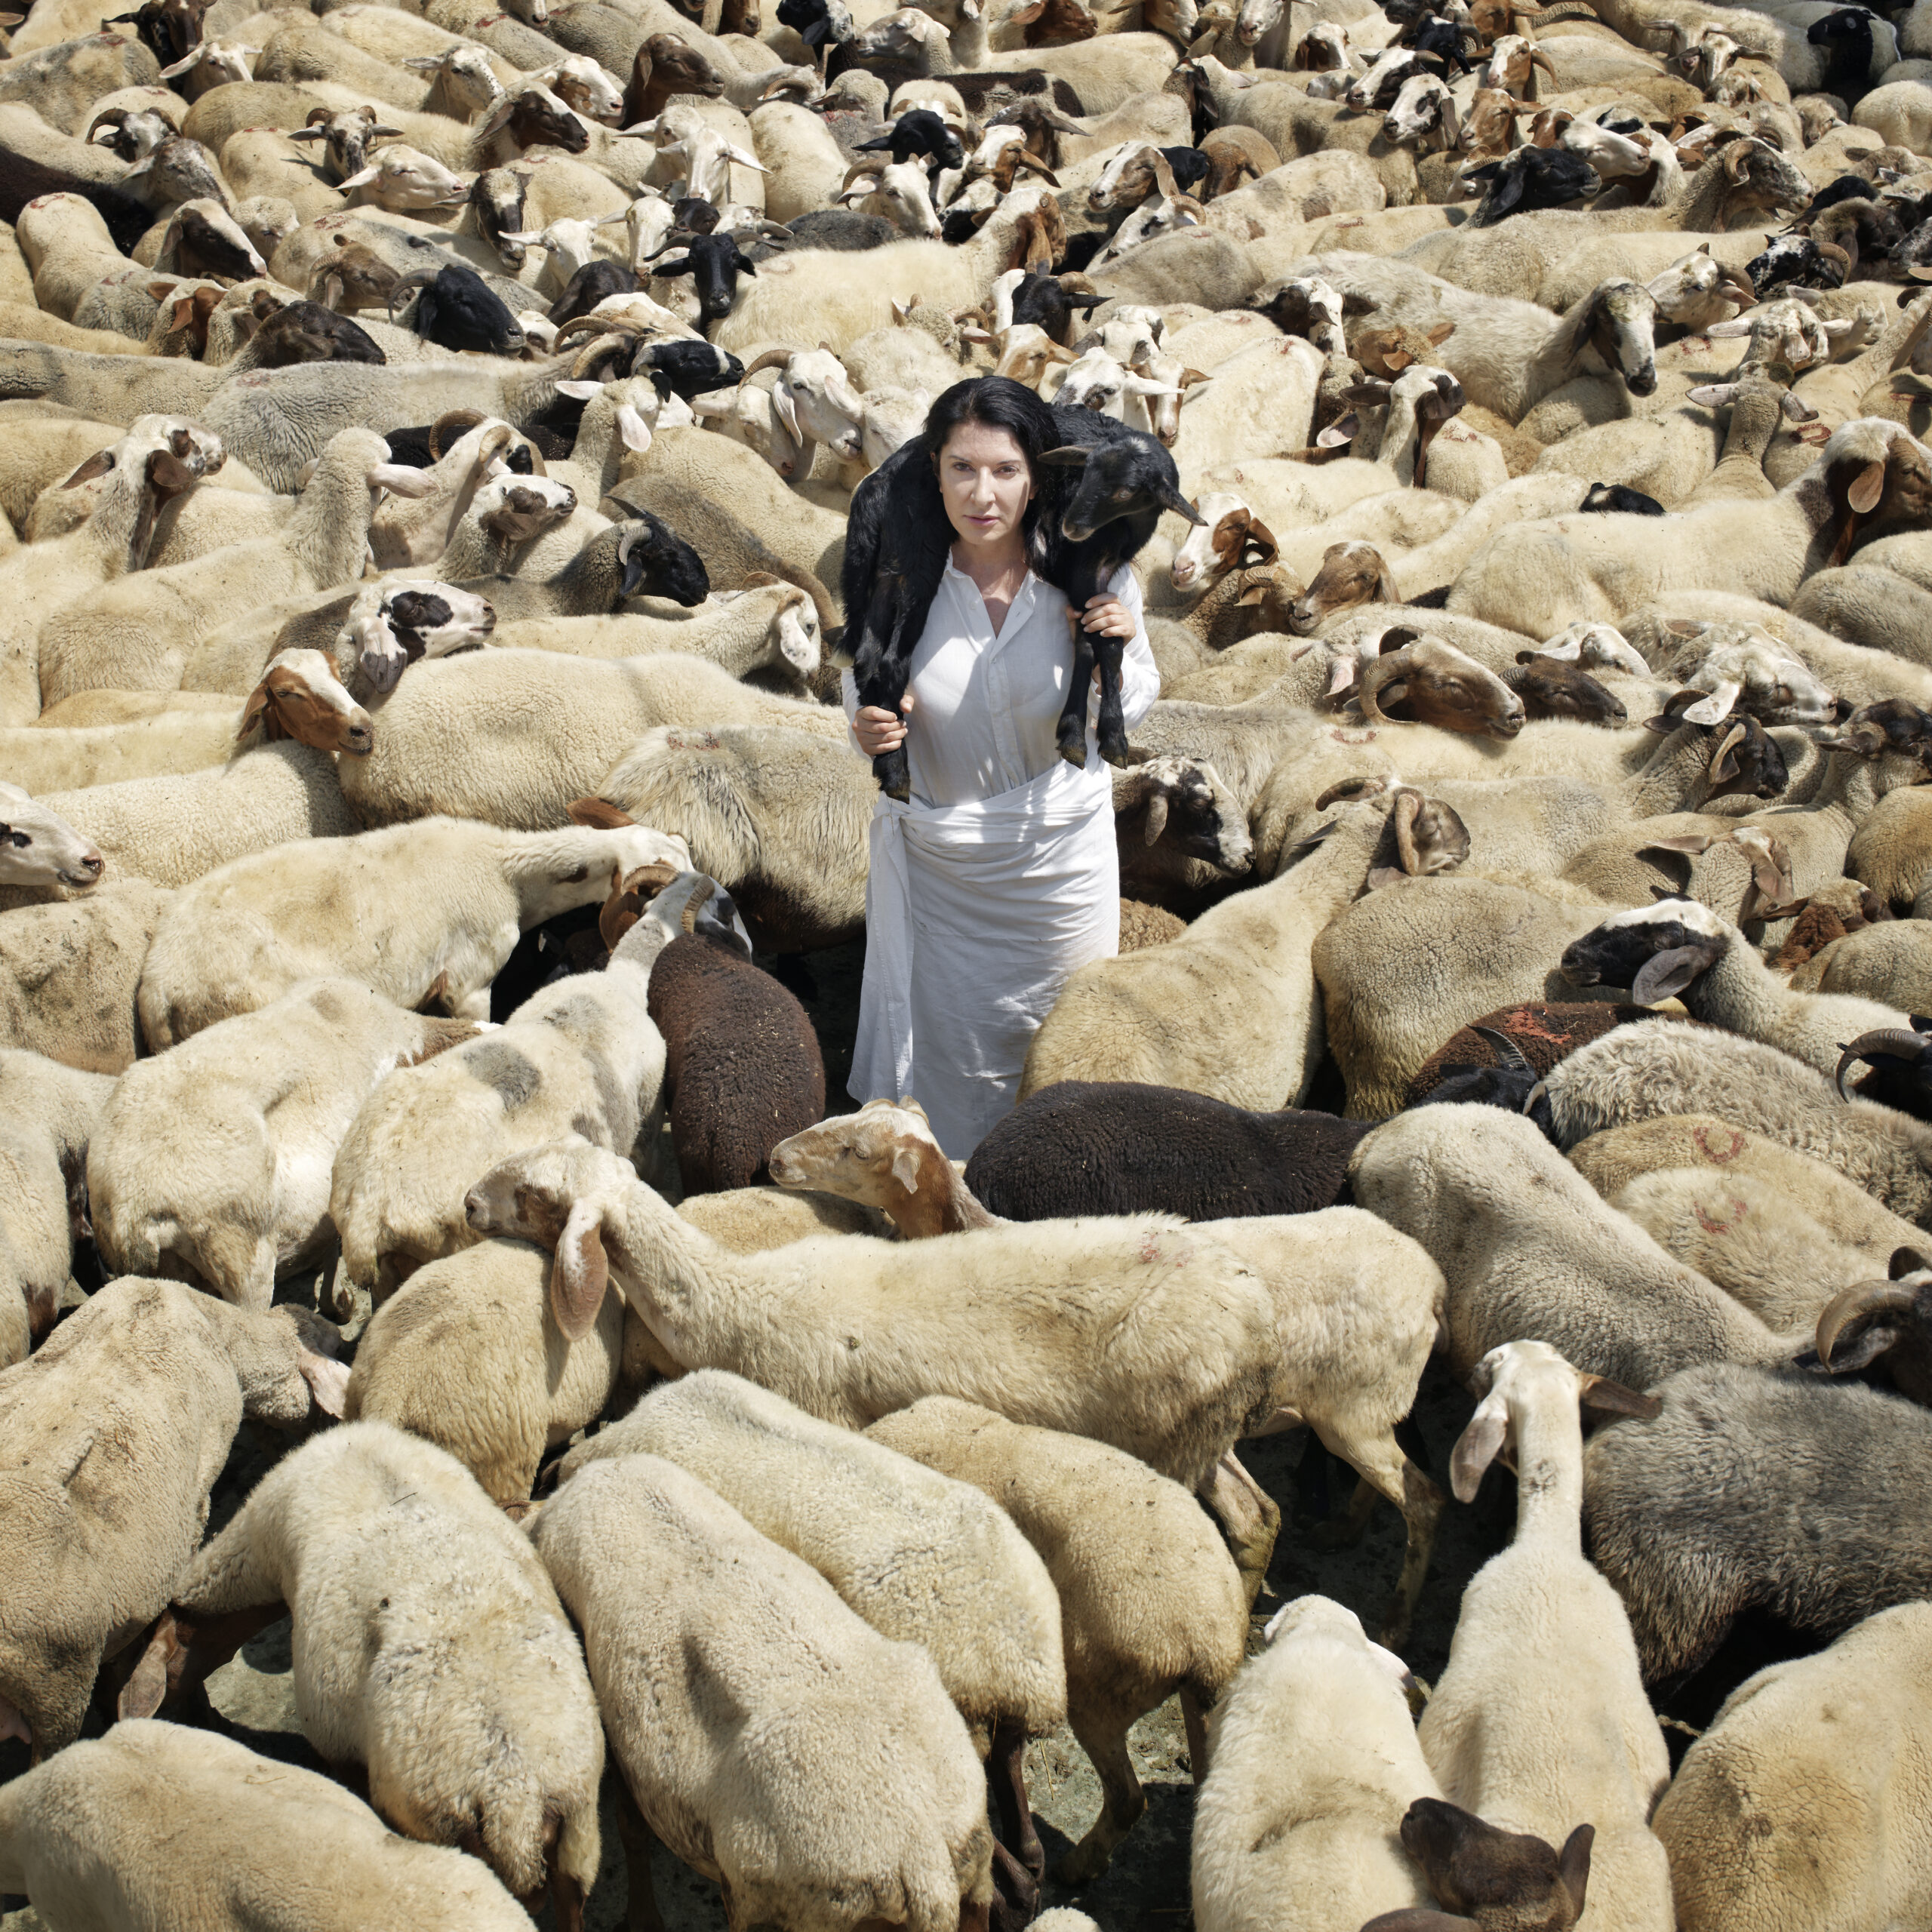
1000,878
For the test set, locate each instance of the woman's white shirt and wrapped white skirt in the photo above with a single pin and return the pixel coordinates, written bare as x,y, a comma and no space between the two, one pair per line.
1000,878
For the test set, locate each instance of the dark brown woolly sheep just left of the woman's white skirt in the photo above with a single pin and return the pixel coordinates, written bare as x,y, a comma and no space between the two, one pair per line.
741,1064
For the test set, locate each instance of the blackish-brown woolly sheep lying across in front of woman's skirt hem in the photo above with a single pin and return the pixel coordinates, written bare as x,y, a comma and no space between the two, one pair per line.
1118,1147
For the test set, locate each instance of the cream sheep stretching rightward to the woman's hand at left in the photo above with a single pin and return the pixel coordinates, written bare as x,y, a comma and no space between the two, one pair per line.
515,737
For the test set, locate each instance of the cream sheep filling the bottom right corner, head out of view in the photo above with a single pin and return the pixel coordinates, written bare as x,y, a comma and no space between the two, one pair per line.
1844,1726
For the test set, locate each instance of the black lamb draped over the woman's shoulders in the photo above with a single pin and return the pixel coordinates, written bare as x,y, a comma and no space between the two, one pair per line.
1100,497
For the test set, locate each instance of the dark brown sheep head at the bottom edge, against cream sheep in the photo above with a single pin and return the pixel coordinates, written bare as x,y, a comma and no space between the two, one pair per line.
1487,1879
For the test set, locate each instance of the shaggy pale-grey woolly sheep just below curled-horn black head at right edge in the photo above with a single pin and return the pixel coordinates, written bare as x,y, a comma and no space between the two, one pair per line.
1657,1067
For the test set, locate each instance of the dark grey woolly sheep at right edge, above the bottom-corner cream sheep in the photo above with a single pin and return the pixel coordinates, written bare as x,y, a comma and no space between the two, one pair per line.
1821,1520
